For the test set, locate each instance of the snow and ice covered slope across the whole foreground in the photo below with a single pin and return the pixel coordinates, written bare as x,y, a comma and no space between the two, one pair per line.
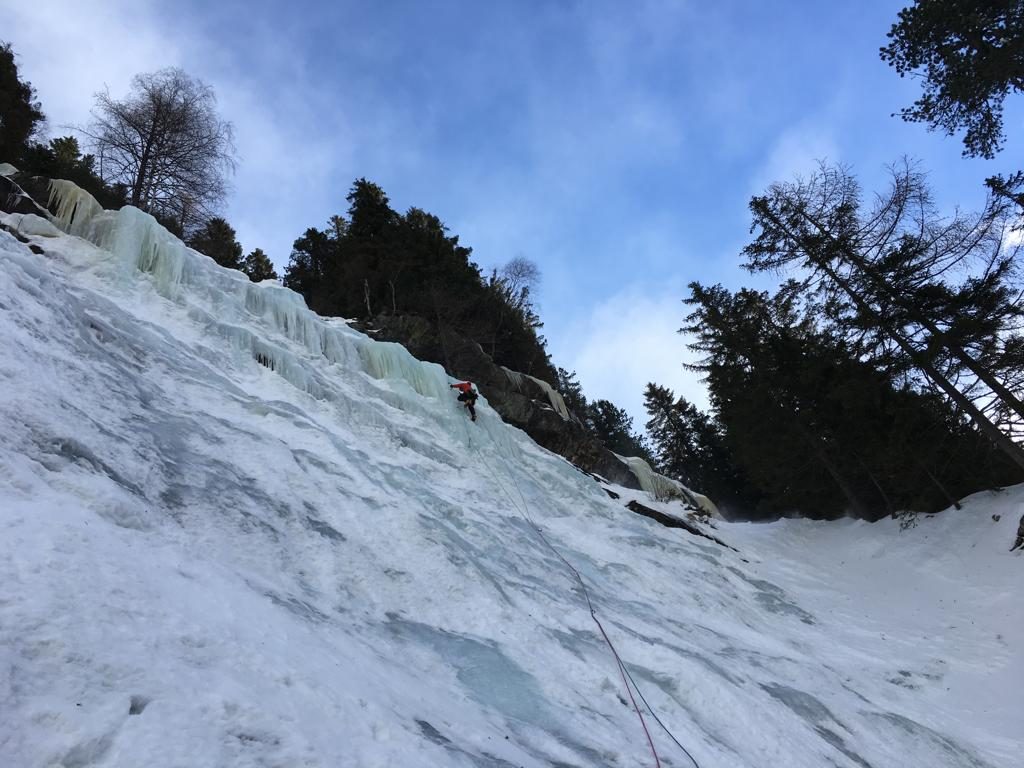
208,563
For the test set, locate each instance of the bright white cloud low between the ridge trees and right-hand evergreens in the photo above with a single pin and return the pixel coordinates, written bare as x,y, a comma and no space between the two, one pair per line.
629,340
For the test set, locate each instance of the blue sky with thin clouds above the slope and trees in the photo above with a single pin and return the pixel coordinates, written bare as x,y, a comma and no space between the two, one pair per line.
615,144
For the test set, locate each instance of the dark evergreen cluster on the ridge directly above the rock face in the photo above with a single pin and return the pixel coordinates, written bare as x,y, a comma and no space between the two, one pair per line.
378,262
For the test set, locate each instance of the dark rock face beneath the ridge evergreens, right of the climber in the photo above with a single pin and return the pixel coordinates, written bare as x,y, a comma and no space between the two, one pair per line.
519,400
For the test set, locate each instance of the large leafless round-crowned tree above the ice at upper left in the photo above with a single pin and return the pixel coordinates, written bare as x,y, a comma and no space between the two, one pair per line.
167,145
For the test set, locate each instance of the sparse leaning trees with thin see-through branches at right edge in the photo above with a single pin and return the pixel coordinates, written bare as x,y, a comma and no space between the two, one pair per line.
891,264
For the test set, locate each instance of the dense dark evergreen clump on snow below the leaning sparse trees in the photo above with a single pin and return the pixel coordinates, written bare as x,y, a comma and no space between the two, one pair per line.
816,424
